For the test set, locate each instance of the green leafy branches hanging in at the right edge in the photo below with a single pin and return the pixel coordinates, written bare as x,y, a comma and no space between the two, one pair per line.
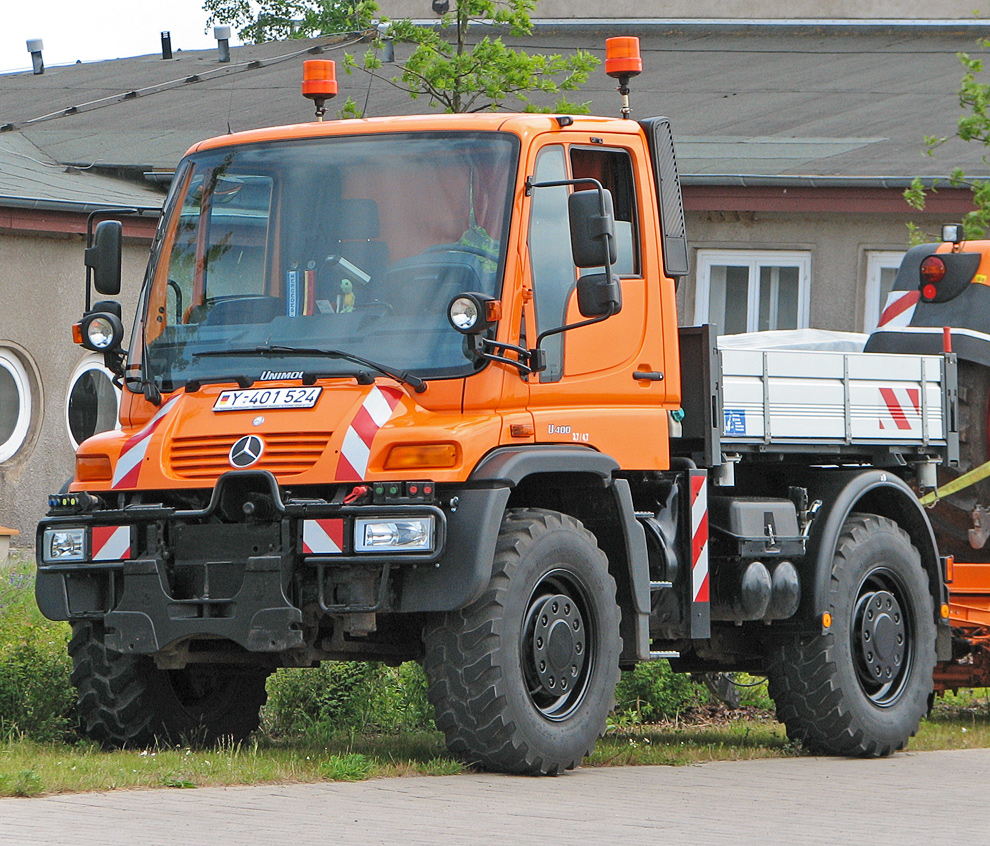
973,125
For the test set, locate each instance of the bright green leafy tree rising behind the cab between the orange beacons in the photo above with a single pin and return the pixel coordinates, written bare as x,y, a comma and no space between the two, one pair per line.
459,73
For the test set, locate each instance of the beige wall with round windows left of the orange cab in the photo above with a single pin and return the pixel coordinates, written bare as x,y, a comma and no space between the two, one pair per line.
41,296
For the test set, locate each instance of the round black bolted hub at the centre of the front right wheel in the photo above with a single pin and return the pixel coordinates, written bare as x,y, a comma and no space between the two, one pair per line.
558,644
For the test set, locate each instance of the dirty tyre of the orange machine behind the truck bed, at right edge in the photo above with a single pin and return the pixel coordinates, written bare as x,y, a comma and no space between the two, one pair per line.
951,517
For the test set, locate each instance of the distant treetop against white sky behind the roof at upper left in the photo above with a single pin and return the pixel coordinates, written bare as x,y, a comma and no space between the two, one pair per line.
272,20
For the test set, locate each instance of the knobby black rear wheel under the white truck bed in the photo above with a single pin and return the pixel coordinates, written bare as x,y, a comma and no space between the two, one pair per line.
862,688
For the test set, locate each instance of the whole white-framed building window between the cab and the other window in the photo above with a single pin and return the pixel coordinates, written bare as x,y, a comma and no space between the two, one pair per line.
752,291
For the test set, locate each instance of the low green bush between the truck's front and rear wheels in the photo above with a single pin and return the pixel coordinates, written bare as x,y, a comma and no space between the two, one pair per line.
652,691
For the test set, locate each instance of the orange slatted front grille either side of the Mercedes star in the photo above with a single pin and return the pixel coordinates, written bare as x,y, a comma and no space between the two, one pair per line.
206,457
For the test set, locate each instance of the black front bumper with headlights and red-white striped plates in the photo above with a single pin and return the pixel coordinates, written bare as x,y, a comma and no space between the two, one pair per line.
156,575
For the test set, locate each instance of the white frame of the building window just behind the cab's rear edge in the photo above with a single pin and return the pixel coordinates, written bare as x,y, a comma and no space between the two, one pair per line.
754,260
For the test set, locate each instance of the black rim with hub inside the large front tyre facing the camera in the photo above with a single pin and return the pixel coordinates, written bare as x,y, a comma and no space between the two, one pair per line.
558,651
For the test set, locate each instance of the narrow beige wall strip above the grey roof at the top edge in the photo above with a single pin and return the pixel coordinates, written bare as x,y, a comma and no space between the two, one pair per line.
725,9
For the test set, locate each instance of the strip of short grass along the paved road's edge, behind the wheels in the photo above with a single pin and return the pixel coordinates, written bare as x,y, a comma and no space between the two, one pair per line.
28,768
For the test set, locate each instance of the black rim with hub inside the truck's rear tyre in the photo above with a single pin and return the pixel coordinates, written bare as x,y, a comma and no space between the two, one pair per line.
882,638
